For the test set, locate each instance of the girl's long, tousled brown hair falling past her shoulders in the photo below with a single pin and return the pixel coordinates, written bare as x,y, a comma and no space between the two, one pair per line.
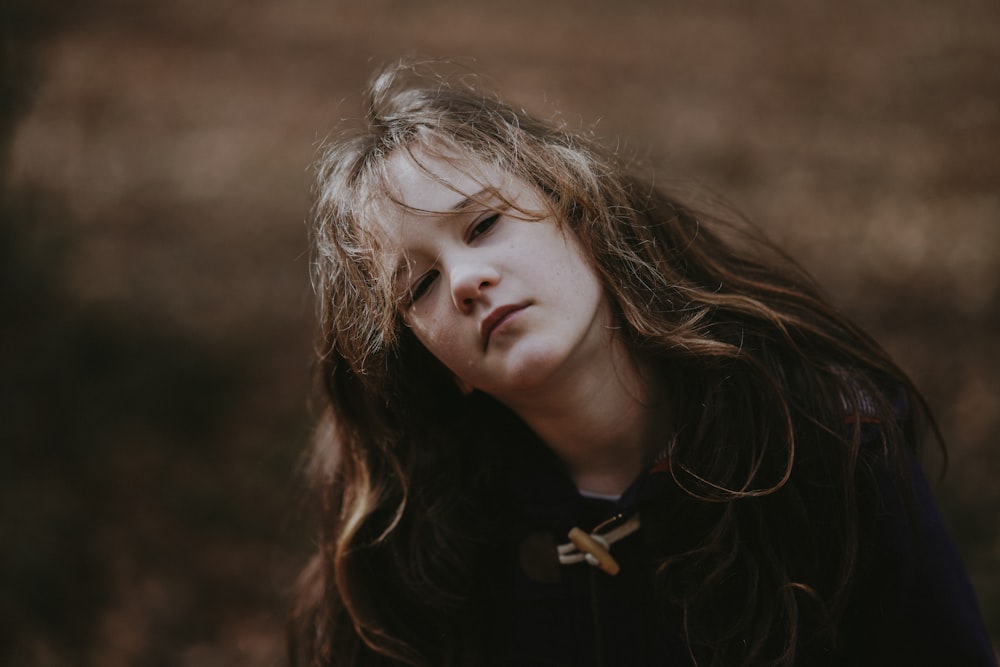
773,470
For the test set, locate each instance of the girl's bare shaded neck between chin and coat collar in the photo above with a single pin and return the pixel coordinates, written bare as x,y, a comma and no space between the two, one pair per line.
605,422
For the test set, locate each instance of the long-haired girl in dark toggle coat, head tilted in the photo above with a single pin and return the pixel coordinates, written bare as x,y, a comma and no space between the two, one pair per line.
572,420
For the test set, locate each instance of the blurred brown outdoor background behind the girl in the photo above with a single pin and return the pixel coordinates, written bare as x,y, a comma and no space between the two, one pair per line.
156,314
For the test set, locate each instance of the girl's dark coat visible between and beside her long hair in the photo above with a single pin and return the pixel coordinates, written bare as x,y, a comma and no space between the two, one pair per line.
913,605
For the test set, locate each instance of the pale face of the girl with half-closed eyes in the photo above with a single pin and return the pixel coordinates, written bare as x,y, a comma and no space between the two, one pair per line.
508,305
